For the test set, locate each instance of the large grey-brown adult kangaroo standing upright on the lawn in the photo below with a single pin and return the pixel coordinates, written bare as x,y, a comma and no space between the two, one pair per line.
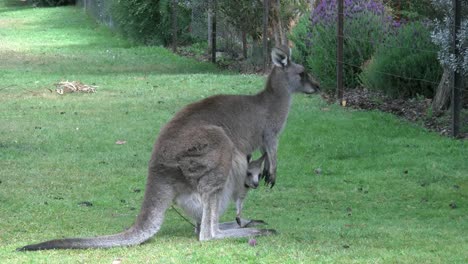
202,149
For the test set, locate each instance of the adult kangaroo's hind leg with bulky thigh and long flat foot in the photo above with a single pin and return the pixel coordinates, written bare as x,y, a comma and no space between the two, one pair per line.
208,162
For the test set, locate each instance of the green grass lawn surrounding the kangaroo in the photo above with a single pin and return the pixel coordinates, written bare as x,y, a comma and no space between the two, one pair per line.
383,195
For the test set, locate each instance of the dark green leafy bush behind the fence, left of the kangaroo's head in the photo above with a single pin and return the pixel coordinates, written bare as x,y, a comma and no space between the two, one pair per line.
149,21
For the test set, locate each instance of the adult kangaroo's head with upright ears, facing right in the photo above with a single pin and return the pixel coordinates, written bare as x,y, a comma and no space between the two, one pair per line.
297,80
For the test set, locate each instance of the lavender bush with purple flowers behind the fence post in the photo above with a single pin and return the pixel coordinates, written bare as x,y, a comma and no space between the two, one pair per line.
366,22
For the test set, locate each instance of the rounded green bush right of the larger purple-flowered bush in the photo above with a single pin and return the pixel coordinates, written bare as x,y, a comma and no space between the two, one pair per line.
408,53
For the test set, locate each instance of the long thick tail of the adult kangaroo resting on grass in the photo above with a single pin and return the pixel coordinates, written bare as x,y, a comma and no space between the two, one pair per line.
157,200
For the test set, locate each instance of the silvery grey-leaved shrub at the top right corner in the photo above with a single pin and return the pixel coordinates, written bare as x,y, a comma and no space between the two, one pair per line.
442,36
